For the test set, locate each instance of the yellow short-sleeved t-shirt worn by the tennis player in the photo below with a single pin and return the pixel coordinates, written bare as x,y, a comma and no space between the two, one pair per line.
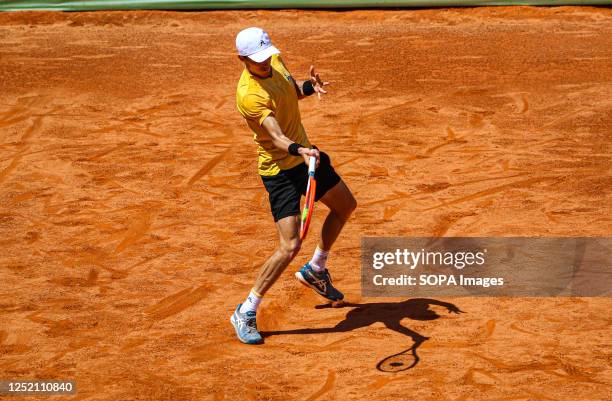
257,98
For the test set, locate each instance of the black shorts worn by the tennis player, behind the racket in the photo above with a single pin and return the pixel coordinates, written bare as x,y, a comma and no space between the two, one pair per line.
287,187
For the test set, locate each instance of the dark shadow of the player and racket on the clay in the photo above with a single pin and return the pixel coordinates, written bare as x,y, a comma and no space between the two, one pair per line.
391,315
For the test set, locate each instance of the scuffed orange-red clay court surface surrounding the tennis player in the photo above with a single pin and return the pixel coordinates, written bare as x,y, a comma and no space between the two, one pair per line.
132,219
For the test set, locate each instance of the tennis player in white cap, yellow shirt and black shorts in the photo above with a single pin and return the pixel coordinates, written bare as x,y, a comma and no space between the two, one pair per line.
267,97
